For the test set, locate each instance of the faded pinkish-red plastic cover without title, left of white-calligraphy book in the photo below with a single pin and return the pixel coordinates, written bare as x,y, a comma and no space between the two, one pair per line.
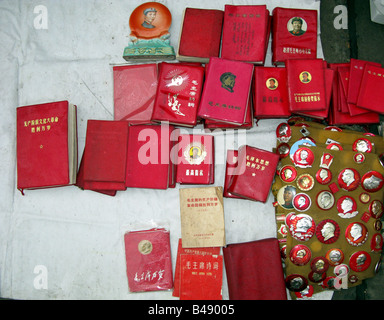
134,90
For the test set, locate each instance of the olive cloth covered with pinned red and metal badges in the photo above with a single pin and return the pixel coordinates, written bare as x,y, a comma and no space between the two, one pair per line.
328,209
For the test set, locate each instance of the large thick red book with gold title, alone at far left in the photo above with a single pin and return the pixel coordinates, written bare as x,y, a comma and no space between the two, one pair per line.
46,145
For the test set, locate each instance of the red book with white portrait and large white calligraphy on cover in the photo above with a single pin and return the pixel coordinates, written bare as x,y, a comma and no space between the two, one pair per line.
178,93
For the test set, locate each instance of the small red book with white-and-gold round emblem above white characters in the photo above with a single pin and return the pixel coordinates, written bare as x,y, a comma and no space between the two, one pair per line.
196,159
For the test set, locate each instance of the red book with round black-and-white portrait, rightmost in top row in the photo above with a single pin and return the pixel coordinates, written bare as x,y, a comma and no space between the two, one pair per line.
294,34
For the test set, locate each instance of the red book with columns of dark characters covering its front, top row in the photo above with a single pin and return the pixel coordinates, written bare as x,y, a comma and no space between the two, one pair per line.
245,33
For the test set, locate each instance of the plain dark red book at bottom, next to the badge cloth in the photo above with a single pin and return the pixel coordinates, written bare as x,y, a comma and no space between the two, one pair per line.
254,270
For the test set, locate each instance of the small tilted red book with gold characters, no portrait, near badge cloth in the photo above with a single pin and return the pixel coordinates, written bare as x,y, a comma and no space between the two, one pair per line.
254,174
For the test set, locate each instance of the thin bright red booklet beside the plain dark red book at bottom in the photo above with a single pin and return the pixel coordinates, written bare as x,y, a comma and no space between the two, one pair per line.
201,277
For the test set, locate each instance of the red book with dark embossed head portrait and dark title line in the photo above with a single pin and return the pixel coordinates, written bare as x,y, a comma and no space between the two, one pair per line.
227,89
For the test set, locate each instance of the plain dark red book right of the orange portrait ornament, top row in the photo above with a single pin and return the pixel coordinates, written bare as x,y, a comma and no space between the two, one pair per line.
200,34
